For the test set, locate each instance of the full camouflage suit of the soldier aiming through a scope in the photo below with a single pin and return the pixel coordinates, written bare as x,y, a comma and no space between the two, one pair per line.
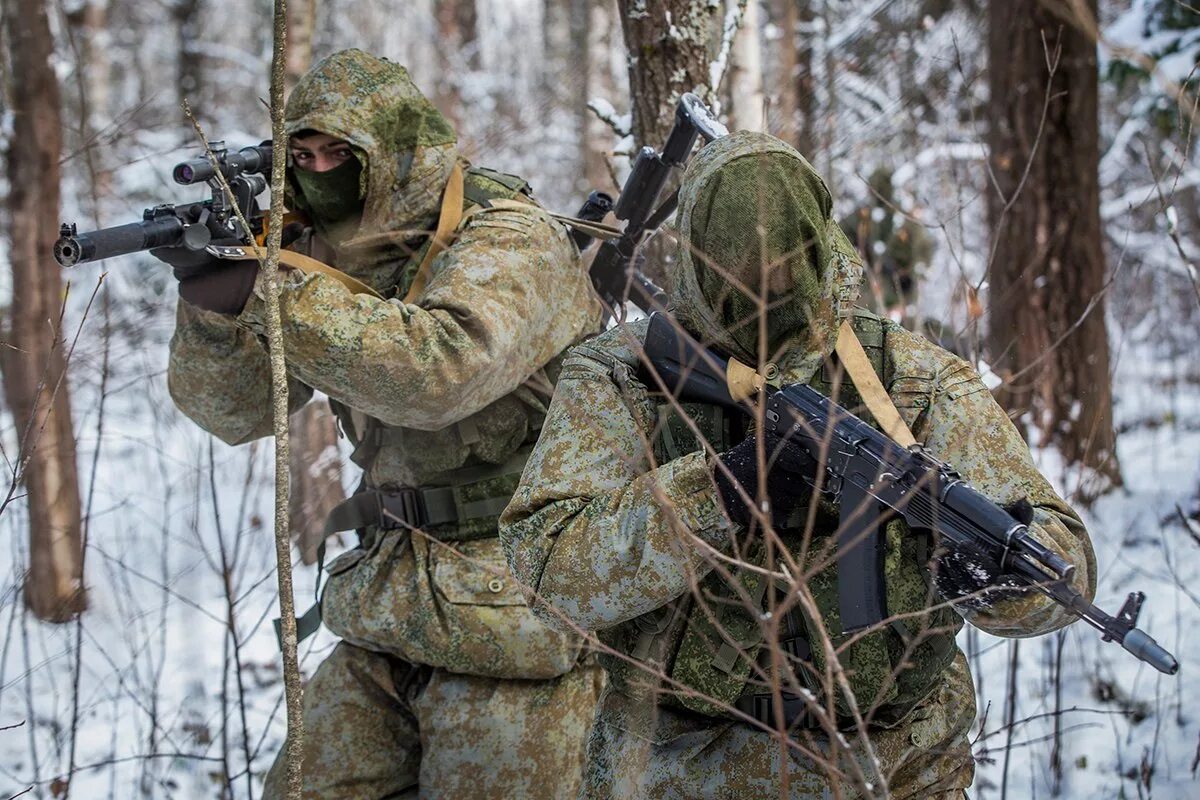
445,685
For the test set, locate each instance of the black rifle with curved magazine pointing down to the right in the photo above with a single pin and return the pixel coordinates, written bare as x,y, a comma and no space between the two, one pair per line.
874,479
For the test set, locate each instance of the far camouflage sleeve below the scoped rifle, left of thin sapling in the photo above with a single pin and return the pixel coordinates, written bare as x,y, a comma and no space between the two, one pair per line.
219,375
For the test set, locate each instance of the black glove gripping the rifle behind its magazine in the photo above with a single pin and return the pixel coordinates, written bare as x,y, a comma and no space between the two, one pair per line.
787,486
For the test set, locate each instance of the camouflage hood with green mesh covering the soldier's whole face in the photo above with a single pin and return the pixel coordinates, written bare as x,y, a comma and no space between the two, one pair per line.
755,221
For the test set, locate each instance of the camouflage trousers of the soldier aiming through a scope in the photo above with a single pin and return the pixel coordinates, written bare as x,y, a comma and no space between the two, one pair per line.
377,729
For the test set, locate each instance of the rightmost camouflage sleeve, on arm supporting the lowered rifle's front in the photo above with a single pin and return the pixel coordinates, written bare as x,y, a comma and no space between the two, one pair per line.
965,428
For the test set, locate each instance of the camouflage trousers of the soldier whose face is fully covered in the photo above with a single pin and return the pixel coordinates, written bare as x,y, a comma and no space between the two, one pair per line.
641,751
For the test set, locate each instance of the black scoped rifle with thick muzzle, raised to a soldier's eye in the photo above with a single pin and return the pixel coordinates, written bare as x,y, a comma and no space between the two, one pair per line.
194,225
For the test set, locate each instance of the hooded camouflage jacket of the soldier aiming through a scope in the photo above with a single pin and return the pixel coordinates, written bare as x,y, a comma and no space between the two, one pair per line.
455,383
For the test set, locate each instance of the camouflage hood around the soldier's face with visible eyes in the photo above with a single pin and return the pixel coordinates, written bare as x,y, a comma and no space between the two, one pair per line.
406,147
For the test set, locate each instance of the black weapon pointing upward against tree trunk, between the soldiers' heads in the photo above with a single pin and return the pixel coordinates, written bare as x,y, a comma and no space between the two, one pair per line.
614,273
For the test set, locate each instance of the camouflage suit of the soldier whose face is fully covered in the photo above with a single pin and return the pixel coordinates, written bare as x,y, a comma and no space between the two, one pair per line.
611,539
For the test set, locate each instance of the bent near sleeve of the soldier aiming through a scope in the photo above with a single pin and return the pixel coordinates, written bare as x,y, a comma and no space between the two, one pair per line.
503,300
